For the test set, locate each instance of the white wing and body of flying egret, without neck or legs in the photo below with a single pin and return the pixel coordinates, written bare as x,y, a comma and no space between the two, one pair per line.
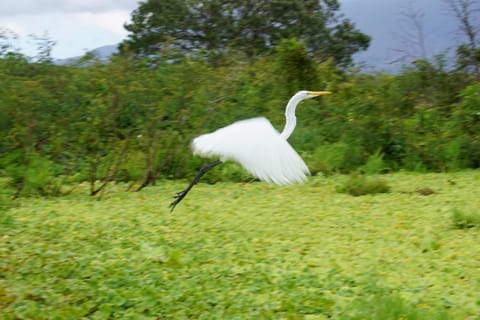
258,147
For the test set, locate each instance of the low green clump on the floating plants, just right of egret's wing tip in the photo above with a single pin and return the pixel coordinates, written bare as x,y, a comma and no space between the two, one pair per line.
359,185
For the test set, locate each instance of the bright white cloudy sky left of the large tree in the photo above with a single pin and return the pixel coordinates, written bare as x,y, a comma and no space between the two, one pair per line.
76,26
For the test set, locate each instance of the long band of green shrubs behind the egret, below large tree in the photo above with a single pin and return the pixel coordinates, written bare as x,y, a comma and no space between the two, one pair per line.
132,119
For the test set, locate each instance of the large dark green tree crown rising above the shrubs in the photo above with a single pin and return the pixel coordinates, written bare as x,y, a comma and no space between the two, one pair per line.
251,26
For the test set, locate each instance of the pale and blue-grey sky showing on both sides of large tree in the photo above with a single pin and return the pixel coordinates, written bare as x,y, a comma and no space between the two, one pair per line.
78,26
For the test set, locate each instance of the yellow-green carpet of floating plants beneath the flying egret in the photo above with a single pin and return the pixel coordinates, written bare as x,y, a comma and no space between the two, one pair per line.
253,250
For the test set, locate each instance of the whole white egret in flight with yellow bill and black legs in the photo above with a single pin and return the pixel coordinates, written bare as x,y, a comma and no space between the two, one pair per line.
256,146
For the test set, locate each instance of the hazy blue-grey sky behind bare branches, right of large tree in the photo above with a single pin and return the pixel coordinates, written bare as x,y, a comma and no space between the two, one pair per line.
386,23
